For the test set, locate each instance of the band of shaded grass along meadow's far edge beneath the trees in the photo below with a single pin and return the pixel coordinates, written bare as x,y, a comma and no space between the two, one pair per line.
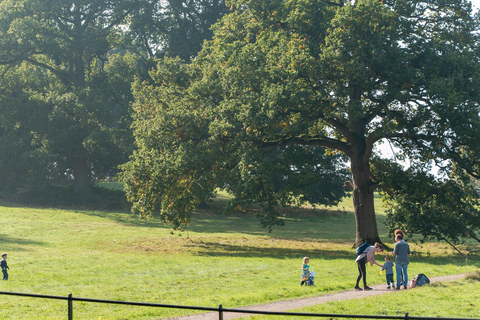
215,219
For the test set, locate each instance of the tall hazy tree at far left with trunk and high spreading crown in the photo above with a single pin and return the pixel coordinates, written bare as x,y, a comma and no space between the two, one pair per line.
70,39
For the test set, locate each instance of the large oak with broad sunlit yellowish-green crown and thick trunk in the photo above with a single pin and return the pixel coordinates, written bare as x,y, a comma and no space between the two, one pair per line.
287,74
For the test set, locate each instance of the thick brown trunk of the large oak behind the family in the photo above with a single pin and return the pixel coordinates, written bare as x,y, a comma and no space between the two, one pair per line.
363,201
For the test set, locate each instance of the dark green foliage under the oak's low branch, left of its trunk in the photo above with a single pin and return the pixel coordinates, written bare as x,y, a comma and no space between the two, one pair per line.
286,176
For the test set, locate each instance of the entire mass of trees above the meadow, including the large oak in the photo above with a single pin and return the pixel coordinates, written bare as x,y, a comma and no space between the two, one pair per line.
279,102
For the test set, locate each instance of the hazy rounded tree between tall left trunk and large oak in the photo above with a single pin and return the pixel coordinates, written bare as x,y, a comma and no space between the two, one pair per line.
109,98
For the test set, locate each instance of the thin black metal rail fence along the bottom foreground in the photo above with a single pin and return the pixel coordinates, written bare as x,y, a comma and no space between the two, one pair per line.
220,310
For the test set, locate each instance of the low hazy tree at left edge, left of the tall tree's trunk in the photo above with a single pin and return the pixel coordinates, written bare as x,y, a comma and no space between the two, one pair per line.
24,161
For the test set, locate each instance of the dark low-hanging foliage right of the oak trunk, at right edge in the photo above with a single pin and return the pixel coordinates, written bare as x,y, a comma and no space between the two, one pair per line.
422,204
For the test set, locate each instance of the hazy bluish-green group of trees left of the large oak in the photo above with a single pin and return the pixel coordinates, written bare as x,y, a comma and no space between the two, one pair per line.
67,69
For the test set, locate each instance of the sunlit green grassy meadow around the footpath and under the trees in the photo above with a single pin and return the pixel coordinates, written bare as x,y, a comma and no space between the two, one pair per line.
219,259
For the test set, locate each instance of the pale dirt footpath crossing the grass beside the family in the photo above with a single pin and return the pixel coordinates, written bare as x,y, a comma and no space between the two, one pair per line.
282,306
